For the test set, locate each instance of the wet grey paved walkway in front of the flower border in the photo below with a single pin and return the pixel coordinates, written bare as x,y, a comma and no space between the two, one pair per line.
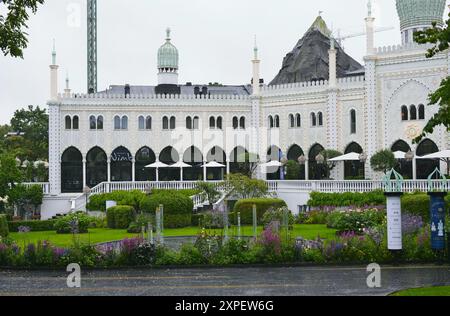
265,281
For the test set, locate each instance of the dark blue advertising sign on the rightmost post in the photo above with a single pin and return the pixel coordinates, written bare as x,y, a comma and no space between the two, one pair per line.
437,208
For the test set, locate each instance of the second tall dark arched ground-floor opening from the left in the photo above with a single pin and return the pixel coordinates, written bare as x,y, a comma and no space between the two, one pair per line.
96,167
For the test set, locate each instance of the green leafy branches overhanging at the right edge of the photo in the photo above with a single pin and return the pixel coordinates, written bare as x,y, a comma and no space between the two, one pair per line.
440,37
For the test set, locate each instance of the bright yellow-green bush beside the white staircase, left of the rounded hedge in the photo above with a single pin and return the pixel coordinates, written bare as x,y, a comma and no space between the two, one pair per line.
132,198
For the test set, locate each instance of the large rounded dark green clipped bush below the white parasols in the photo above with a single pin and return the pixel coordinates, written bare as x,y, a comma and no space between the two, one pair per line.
177,207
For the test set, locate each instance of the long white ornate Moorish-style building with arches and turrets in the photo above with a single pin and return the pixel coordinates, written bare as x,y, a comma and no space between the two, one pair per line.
112,135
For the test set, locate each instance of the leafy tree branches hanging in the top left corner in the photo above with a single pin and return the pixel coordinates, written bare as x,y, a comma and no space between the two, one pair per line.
13,38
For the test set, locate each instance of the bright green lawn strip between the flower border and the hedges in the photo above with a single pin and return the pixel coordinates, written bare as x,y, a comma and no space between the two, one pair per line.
98,235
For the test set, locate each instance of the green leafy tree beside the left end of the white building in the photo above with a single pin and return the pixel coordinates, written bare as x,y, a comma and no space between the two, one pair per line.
33,123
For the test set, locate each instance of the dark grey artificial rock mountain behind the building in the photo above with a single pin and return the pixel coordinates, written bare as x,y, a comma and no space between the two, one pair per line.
309,61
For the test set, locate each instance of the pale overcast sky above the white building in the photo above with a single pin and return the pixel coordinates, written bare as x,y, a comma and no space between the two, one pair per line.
214,38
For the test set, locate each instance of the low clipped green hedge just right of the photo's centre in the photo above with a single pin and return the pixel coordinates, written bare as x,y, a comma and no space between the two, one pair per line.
245,207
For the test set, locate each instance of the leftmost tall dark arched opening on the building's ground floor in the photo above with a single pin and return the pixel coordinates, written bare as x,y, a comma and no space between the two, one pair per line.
71,171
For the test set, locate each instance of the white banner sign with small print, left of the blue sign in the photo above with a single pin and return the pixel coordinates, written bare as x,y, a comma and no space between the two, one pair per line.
394,222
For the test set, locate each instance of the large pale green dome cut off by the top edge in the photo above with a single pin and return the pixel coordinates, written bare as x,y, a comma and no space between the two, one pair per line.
420,13
